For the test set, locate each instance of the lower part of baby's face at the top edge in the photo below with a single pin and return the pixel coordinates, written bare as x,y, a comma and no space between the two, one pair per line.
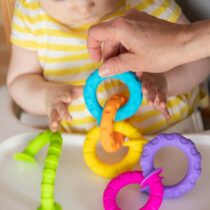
75,12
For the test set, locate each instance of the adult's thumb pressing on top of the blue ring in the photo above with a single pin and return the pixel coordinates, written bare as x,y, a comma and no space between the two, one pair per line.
116,65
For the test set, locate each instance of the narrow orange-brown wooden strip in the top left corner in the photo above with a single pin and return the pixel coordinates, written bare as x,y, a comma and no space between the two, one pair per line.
7,7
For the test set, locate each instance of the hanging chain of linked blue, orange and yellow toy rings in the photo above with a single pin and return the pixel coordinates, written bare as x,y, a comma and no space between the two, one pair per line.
112,134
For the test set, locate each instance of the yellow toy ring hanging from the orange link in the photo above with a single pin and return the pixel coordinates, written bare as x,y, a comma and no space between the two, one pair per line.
135,146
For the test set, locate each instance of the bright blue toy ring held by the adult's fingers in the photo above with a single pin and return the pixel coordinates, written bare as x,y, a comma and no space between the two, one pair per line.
129,109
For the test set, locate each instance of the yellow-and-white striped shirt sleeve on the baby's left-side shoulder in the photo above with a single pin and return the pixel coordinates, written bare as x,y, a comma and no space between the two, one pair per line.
23,27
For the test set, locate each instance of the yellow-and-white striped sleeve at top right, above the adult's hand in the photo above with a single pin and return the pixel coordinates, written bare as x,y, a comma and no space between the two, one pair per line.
163,9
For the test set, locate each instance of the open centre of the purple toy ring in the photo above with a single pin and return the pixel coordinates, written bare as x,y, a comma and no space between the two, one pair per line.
174,163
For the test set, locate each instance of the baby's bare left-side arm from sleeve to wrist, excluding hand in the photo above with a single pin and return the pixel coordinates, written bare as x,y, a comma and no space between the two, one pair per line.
25,81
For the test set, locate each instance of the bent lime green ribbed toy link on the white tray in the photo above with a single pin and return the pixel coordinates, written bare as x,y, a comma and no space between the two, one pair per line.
51,162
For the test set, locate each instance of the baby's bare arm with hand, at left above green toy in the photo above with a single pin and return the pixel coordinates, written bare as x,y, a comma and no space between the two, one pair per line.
35,95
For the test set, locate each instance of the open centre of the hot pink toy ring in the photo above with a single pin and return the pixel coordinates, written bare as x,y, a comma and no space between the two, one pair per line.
129,197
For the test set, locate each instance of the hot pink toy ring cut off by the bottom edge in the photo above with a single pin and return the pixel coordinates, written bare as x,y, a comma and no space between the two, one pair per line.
154,181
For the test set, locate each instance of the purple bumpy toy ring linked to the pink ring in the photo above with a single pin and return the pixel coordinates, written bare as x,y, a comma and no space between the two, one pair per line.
189,149
